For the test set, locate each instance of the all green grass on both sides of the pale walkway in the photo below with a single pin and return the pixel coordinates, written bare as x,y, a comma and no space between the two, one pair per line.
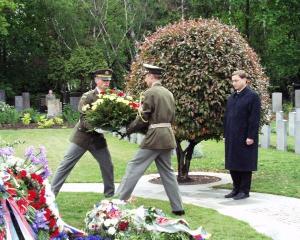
278,174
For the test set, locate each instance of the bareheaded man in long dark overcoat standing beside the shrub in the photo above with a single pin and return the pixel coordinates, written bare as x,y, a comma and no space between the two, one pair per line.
241,125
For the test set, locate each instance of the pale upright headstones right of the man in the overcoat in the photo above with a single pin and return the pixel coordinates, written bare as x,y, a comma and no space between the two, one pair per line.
284,127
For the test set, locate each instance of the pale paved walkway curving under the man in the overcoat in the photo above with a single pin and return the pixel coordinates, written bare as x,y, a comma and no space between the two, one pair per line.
275,216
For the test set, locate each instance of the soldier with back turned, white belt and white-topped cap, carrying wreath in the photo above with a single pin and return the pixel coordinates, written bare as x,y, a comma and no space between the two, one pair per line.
155,115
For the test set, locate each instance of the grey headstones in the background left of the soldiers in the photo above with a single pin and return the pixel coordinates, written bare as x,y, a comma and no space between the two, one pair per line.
54,106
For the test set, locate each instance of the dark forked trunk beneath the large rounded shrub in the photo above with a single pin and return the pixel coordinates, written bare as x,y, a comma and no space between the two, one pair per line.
184,158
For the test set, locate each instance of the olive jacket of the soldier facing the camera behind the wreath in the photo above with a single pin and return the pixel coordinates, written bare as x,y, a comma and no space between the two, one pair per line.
80,135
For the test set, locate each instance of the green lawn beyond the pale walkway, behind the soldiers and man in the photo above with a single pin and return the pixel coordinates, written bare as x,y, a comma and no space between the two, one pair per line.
278,171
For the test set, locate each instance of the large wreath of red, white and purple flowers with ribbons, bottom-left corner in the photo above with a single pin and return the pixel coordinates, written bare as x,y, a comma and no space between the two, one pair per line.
27,200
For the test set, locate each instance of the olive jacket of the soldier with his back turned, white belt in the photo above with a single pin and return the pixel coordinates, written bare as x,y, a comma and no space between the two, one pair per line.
158,106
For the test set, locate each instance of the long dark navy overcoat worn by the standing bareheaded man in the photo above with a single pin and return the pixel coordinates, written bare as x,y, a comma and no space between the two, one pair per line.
241,121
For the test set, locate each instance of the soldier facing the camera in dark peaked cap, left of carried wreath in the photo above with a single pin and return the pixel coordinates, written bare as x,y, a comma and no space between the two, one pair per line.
83,139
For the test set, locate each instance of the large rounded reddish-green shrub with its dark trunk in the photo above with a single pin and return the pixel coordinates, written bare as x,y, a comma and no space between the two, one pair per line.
199,57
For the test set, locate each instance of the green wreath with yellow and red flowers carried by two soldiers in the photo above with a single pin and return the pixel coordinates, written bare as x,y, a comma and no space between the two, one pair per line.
111,111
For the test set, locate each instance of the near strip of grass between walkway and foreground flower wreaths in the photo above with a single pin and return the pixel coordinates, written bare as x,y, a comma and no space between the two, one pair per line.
221,227
